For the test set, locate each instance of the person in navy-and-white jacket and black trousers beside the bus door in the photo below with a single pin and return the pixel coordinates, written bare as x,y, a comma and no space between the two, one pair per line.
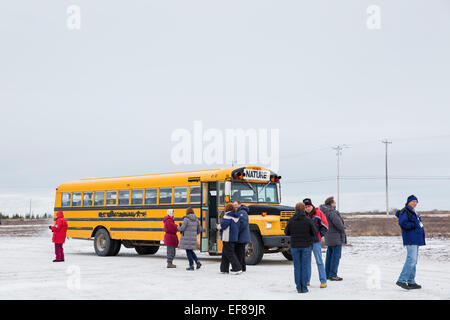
229,232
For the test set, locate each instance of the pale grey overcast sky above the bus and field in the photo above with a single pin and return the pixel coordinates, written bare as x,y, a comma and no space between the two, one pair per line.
104,100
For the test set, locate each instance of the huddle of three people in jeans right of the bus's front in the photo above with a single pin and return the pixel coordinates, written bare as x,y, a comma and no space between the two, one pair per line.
307,228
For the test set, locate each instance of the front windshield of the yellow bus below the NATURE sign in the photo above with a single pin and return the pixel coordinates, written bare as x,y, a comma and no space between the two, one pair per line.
254,192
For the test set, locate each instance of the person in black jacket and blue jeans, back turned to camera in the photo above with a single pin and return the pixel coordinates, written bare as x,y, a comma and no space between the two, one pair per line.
302,231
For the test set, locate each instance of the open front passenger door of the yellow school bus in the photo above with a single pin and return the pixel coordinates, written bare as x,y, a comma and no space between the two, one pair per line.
209,217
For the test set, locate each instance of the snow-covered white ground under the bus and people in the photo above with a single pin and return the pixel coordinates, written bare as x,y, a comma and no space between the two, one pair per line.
369,265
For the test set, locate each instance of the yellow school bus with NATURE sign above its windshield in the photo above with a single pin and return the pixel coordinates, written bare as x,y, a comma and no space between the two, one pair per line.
129,210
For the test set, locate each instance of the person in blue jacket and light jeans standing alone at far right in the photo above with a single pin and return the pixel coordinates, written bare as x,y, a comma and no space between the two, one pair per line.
413,235
